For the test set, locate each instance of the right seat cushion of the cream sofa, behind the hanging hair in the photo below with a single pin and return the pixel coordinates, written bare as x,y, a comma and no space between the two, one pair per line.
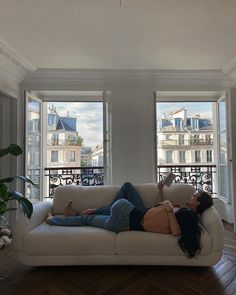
146,243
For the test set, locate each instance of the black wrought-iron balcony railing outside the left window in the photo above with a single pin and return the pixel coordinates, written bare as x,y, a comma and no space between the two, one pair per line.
86,176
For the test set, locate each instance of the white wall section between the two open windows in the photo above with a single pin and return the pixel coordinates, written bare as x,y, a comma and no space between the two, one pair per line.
133,151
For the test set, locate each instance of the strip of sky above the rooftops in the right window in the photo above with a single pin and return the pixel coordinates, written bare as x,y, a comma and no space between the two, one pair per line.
202,108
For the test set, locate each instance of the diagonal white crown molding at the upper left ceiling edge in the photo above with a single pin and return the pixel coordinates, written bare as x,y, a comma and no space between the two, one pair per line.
11,61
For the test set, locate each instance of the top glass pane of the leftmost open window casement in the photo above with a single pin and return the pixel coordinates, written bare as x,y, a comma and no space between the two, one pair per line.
33,123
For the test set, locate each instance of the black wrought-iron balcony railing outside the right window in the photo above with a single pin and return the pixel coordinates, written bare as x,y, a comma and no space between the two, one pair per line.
202,177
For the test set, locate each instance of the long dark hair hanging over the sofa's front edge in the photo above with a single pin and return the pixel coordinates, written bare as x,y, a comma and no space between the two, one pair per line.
190,239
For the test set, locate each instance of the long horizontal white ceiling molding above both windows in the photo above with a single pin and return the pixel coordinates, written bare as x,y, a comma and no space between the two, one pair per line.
160,79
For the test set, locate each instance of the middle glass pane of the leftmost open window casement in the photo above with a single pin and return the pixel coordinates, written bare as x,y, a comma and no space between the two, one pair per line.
33,150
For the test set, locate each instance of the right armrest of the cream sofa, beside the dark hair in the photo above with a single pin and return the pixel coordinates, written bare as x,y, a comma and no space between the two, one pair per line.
211,222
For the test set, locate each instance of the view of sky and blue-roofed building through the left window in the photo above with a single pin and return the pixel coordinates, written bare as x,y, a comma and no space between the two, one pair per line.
74,134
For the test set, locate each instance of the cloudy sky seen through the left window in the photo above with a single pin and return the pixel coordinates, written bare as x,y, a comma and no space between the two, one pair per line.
89,119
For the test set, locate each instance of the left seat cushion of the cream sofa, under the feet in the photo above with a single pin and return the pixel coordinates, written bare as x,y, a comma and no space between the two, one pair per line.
71,240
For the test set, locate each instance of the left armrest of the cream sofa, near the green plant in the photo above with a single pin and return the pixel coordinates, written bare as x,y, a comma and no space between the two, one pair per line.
24,225
